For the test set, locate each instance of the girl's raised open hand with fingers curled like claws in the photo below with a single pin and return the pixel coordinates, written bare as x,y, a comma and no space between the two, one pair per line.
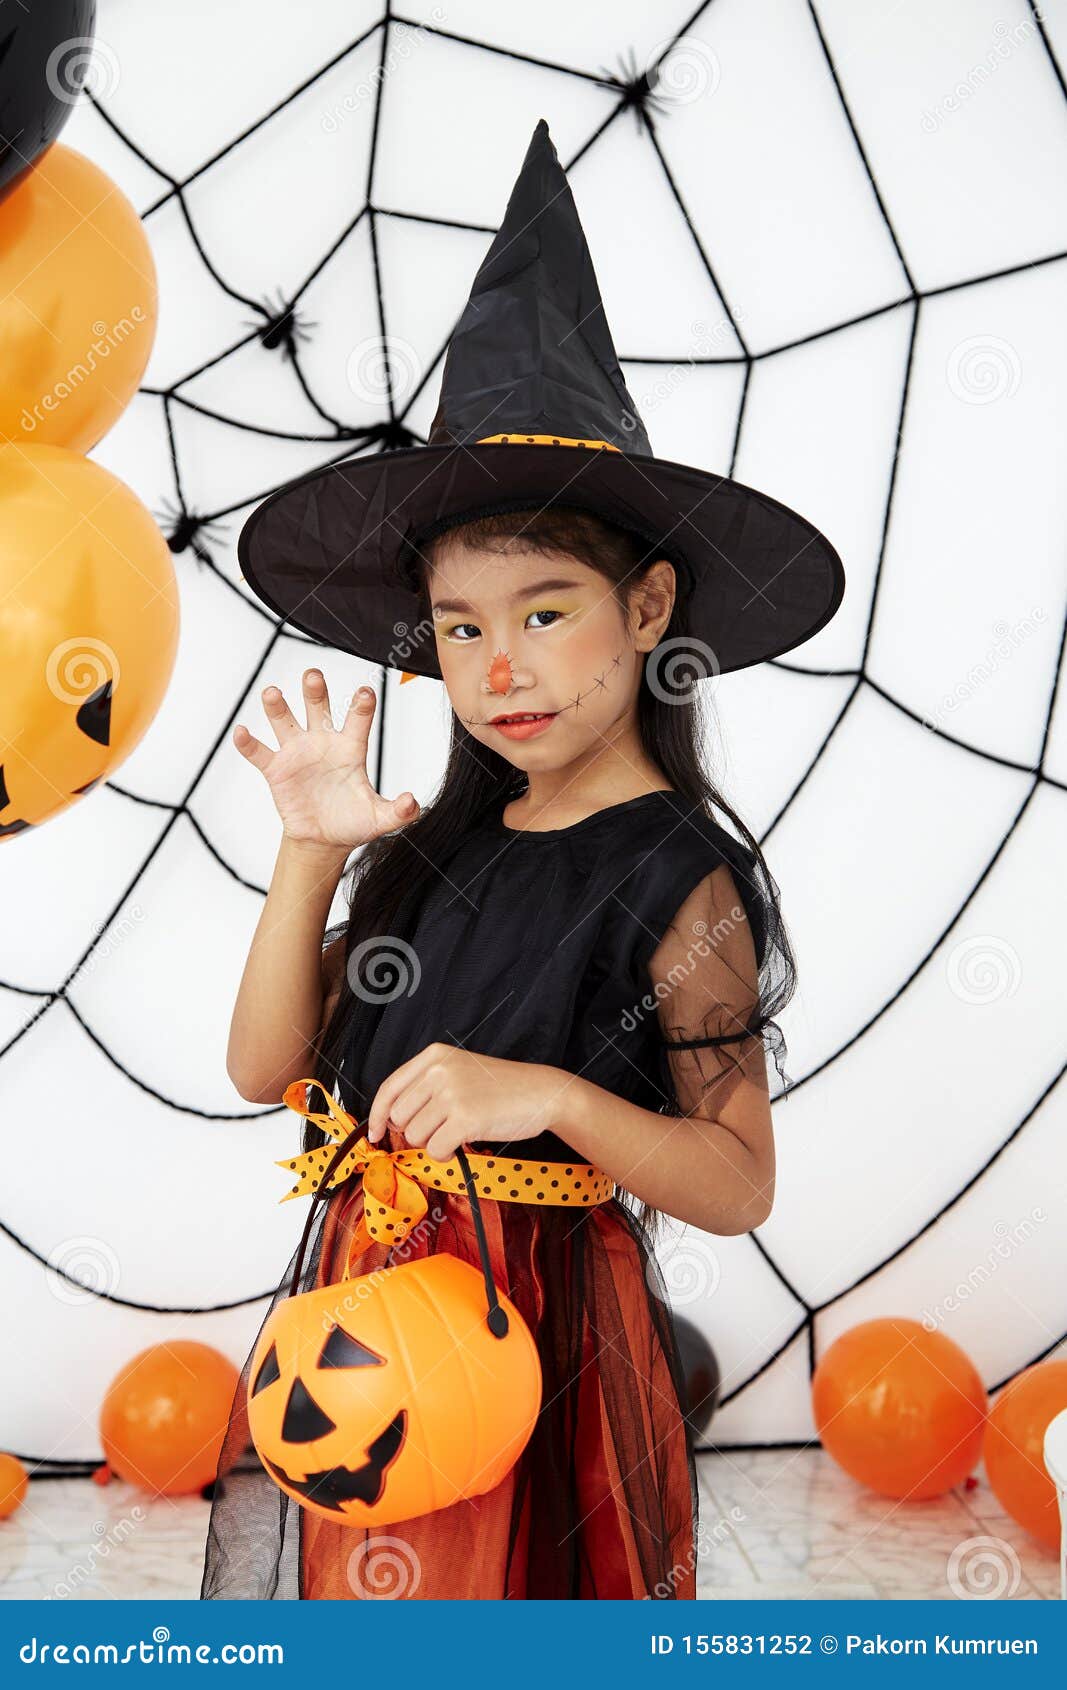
319,775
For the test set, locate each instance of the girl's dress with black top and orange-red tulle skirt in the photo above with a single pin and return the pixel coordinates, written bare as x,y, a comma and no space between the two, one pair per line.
533,947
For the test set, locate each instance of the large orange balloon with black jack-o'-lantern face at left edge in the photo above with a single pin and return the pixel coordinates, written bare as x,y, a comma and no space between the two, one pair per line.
89,630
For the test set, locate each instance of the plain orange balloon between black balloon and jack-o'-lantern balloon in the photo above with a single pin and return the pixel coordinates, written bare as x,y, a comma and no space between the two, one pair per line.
77,303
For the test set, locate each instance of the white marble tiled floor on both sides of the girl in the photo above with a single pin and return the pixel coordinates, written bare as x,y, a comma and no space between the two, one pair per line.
774,1524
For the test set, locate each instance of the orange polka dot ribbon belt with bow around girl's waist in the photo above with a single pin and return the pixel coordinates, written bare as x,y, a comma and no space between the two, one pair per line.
393,1180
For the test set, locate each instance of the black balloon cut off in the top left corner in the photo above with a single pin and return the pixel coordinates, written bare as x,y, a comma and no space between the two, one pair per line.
45,57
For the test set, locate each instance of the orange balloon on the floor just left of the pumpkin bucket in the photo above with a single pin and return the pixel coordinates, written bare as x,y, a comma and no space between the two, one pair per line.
165,1417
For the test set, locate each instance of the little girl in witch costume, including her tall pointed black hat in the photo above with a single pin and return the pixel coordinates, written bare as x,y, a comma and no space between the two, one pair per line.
566,957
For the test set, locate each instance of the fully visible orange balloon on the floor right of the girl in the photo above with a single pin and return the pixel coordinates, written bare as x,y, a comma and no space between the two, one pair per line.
900,1409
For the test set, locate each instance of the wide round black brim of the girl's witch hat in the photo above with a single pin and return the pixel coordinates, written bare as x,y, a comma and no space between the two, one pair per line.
322,552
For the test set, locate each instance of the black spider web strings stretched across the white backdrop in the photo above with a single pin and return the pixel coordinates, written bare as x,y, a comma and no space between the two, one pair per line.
280,329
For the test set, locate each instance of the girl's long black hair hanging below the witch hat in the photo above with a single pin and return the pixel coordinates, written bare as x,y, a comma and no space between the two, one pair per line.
388,878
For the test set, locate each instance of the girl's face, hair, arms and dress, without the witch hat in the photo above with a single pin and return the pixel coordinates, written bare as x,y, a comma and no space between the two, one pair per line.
579,951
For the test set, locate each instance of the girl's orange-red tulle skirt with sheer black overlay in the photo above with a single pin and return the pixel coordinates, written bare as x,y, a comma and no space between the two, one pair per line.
603,1502
